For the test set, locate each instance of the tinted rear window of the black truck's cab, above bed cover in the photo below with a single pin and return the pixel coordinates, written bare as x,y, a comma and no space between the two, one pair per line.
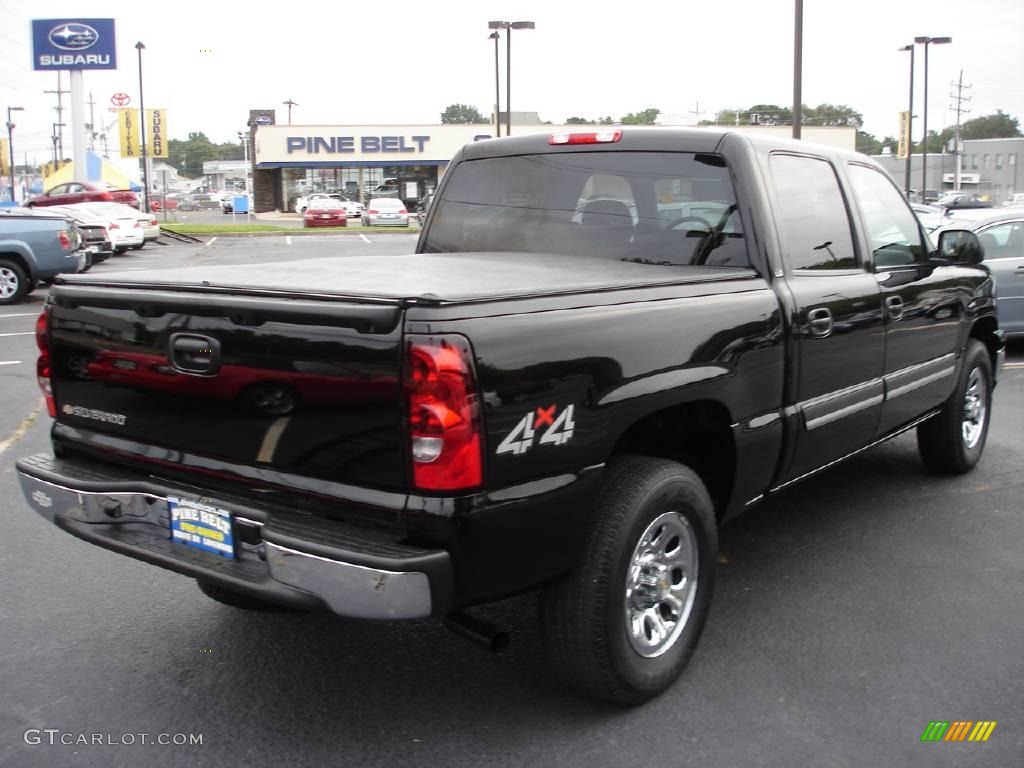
652,208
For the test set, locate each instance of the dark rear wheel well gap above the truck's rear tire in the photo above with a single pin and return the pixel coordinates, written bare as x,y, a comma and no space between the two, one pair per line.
697,435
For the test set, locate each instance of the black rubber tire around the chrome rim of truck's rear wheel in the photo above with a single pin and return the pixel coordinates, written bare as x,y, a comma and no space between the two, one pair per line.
583,615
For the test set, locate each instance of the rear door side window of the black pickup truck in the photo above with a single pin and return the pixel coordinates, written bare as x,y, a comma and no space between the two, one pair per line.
816,223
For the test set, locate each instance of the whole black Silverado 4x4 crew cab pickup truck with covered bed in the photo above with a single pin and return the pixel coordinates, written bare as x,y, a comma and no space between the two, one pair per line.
608,344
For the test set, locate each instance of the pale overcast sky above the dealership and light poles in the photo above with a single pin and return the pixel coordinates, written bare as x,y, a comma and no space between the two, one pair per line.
404,62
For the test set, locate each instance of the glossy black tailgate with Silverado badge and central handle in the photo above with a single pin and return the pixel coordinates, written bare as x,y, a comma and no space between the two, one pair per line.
280,386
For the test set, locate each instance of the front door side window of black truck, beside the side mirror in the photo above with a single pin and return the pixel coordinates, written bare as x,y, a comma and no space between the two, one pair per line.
892,229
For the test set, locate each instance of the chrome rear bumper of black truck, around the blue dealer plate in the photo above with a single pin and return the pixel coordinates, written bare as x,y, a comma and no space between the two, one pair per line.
274,562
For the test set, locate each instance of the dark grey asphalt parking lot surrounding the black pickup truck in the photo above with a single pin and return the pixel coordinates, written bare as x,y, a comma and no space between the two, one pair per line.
850,612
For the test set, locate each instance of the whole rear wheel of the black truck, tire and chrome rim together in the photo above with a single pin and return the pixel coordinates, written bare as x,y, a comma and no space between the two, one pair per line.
623,625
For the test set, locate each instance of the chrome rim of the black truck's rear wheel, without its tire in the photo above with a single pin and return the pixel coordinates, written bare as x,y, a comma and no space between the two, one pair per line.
661,585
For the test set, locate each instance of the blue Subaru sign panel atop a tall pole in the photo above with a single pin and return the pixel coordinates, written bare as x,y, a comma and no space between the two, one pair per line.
74,45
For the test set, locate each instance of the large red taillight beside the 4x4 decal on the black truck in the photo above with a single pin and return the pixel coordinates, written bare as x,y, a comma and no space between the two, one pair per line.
444,414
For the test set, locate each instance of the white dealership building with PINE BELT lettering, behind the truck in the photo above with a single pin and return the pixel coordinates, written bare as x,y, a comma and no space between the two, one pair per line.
405,161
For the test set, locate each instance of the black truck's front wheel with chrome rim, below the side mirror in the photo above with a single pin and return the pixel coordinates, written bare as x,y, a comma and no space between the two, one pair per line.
946,445
